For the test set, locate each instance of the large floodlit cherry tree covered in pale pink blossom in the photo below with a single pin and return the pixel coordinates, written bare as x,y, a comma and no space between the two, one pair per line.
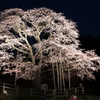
34,38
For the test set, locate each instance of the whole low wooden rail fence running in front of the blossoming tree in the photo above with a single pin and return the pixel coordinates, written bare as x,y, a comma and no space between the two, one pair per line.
18,93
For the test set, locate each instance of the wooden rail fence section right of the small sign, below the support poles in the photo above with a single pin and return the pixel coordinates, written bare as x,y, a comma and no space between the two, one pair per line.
63,94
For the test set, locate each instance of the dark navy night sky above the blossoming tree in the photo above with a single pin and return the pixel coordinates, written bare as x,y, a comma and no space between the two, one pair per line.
86,13
